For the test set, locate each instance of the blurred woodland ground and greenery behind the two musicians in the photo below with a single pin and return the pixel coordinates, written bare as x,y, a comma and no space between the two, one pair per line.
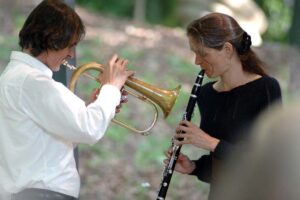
151,35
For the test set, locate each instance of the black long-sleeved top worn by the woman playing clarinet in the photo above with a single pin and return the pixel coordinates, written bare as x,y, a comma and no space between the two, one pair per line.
229,115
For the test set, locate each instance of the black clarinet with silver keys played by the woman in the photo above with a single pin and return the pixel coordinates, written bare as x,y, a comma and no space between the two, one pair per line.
168,171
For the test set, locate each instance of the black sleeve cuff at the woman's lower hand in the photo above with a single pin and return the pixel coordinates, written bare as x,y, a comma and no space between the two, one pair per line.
203,168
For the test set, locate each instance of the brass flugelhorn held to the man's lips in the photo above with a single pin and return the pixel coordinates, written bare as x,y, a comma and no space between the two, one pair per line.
148,93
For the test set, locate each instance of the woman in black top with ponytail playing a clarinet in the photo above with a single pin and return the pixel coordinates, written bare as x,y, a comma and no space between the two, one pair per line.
229,105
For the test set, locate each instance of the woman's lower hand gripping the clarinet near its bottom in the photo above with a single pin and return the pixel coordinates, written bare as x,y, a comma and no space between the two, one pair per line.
183,165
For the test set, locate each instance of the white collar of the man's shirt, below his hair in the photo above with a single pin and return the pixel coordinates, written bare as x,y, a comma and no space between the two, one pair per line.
31,61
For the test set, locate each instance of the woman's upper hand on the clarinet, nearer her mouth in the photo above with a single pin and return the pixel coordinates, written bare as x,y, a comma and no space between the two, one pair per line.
195,136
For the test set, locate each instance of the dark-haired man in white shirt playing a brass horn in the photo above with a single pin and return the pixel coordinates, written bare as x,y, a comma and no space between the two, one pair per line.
40,119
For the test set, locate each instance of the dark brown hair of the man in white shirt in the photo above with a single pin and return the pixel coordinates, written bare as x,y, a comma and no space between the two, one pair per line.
52,25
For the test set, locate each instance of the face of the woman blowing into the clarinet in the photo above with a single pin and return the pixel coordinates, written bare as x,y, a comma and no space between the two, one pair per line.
213,61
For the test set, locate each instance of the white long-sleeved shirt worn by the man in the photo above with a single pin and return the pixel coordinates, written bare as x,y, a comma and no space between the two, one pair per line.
40,122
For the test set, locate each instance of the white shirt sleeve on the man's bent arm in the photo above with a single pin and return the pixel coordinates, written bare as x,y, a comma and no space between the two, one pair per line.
60,112
